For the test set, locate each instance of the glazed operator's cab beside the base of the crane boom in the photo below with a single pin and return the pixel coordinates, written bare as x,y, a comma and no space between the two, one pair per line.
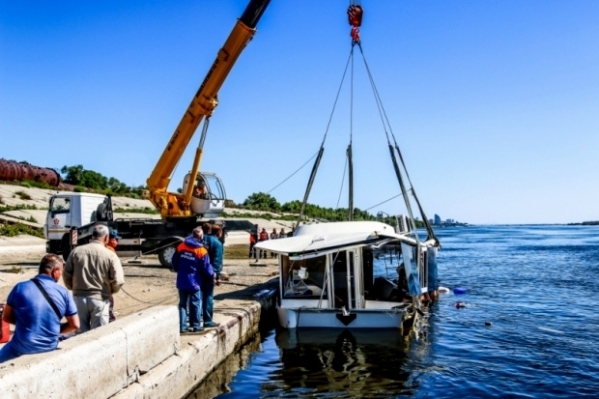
208,198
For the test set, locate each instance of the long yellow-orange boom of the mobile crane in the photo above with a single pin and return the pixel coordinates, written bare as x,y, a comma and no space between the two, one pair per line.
202,105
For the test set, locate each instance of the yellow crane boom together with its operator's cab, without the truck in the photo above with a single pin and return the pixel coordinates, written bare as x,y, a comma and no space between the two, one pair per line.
209,200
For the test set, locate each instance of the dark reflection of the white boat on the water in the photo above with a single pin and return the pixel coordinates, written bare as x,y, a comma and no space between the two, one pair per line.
344,364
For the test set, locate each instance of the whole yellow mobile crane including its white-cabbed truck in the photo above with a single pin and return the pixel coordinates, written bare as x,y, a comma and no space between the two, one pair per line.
179,212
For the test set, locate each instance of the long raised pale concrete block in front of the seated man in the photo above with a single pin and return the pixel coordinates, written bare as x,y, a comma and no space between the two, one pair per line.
97,364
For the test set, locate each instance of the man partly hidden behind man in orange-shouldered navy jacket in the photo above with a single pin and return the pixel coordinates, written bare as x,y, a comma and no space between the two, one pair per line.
215,251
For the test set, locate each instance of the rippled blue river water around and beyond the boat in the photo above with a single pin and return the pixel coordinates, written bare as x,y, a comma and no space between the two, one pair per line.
529,328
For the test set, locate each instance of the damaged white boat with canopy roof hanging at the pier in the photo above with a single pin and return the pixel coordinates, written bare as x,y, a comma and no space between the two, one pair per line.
327,277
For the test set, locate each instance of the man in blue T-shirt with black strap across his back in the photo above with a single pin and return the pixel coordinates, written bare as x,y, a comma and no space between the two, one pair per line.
37,307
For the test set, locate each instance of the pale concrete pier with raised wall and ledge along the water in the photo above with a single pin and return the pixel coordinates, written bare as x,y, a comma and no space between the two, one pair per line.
139,356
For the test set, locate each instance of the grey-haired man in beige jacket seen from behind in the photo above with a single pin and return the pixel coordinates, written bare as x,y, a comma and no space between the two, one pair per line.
94,274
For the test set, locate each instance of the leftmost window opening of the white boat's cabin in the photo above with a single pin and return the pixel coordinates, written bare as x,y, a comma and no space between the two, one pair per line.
304,278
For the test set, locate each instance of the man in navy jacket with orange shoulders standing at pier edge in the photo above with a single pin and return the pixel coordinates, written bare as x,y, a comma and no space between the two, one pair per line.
192,264
